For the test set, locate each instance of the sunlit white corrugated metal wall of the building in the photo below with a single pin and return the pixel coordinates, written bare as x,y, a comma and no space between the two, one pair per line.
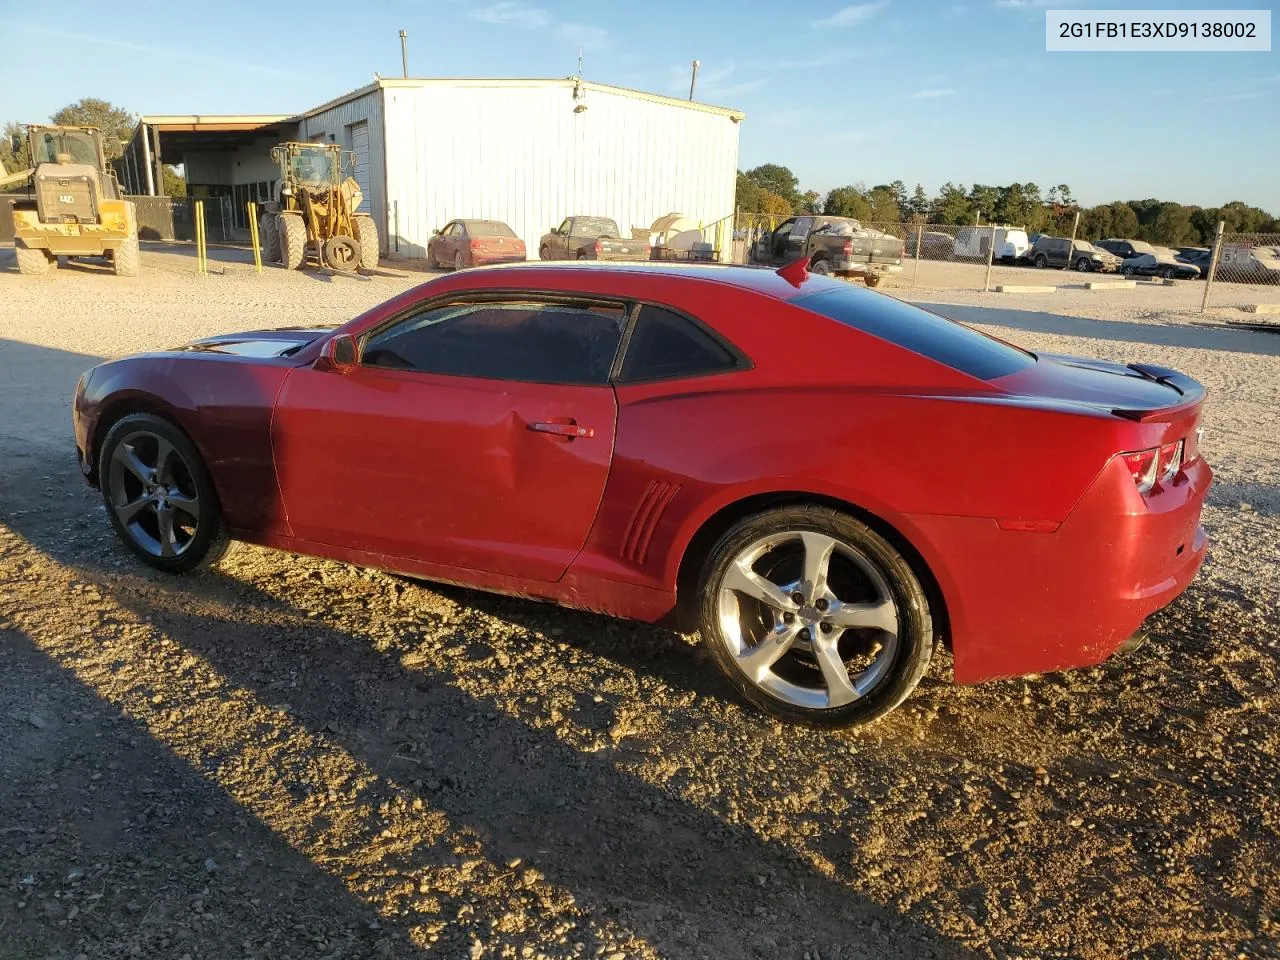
522,156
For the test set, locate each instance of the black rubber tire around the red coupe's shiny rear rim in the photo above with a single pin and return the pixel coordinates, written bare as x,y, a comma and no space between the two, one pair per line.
913,641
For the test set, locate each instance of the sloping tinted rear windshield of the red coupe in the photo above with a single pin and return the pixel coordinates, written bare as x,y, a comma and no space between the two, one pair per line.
921,332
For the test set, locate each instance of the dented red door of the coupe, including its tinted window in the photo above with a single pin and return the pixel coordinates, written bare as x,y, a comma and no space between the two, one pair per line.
474,435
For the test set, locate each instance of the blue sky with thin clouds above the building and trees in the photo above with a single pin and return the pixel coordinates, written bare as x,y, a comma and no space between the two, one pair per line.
917,90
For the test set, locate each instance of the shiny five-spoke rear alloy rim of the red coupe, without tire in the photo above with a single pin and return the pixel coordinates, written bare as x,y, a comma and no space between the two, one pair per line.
808,619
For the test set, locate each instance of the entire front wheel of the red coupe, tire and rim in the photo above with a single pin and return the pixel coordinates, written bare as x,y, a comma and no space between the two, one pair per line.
159,495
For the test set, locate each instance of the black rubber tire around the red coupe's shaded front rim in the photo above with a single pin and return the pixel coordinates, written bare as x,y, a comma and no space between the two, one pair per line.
209,538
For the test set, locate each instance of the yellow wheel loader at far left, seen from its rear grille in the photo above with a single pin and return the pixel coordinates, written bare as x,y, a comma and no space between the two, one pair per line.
75,205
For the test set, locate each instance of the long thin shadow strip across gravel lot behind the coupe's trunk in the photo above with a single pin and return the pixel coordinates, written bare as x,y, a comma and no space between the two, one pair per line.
1121,331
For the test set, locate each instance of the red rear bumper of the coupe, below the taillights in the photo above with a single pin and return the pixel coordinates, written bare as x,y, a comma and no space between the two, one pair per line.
1028,602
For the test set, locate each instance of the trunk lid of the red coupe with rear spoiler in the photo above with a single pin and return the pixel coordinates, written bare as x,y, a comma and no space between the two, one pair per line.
1100,383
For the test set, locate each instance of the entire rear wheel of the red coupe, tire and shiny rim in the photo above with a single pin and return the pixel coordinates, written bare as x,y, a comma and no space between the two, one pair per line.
815,618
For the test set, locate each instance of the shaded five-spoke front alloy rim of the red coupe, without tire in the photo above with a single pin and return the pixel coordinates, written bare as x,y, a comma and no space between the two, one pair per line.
153,492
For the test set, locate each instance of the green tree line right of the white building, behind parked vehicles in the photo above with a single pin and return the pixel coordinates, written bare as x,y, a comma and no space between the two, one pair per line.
772,189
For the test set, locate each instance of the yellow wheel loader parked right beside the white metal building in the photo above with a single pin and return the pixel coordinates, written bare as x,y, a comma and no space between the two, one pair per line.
316,211
